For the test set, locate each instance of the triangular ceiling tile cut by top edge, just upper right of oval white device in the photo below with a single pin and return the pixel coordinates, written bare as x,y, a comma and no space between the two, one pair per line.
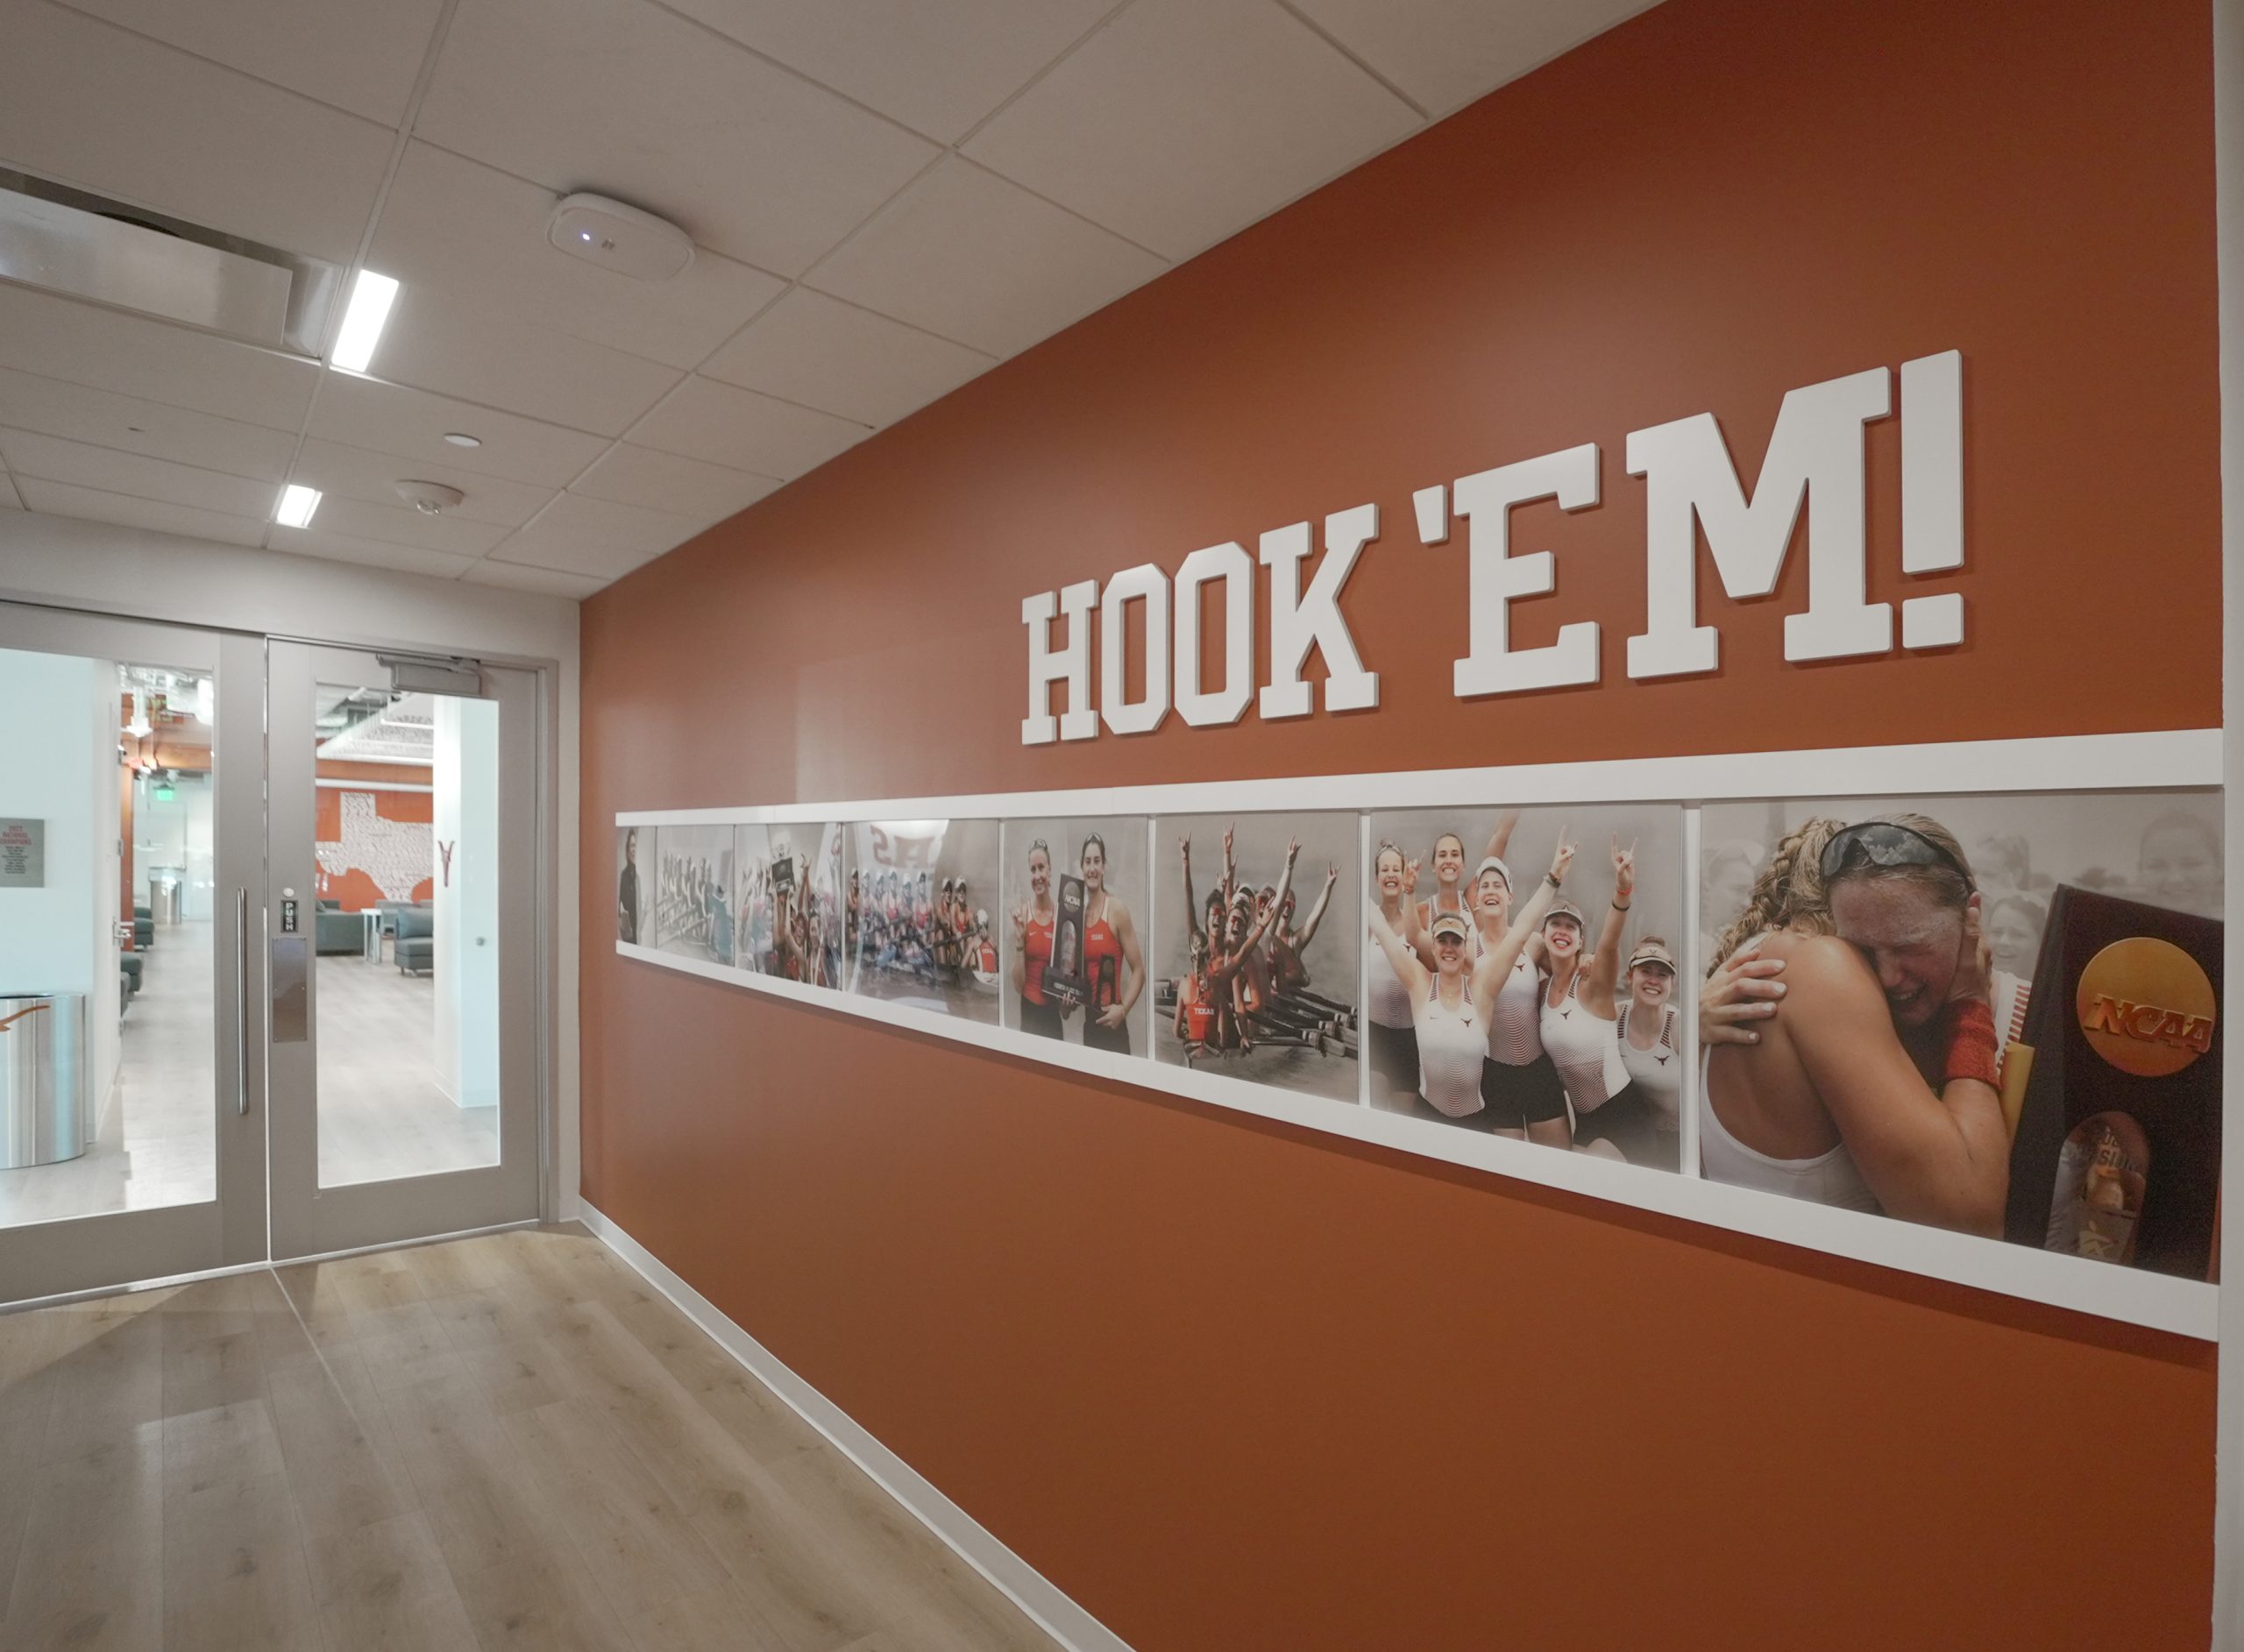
932,68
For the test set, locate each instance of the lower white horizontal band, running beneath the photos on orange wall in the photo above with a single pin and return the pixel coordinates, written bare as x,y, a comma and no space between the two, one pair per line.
2164,1303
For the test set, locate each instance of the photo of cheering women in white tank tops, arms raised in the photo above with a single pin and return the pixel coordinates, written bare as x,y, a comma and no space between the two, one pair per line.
1527,989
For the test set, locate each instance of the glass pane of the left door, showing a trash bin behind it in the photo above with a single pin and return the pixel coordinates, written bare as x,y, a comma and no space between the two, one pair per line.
107,939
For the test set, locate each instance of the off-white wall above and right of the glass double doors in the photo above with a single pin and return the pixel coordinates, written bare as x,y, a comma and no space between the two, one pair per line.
127,571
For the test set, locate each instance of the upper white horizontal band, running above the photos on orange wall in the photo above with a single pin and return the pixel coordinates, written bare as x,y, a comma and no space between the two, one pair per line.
2057,764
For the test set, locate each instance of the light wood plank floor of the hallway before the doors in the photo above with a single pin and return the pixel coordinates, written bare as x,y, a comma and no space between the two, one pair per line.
499,1442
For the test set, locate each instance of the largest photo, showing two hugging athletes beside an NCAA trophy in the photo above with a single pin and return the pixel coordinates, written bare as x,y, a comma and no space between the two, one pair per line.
1902,1013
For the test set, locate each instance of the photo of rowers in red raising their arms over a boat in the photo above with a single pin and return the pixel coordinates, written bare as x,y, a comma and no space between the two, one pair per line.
1244,982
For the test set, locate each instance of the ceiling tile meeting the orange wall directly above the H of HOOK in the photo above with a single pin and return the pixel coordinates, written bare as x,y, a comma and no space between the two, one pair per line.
982,261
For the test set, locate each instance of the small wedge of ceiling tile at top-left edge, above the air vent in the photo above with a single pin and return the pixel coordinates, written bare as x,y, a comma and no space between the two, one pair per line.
347,53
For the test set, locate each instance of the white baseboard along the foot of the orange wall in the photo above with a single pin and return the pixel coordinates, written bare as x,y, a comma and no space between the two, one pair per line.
1020,1581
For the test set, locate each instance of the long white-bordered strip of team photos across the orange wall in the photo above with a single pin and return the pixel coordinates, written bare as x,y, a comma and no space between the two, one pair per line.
1960,1031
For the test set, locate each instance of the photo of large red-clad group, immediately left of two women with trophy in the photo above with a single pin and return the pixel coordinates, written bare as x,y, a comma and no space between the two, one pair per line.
917,917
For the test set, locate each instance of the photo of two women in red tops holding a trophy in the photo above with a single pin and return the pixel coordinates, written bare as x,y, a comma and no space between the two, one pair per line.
1074,937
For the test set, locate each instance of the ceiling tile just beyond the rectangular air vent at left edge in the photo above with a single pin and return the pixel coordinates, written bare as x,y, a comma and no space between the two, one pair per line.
134,356
